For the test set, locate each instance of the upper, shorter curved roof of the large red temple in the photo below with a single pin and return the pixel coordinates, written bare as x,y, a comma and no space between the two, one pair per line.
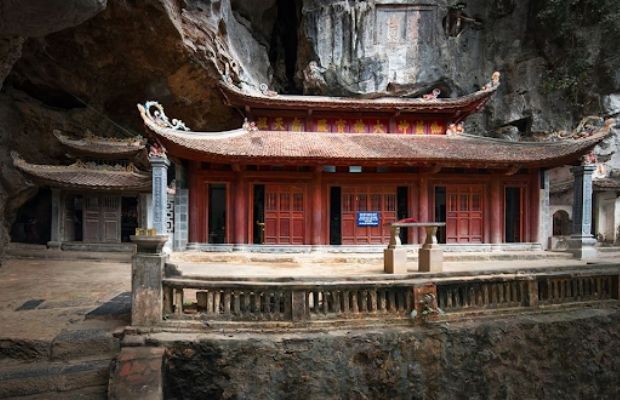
462,105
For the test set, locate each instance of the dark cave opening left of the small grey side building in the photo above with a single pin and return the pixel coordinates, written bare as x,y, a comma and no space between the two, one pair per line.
33,223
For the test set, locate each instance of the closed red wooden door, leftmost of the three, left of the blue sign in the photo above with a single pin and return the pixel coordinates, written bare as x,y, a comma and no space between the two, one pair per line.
284,214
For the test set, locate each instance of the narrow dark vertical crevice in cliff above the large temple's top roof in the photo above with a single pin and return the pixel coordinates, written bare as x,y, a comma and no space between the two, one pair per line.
283,46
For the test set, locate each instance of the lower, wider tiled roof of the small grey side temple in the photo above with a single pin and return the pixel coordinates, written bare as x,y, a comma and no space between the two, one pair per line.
85,176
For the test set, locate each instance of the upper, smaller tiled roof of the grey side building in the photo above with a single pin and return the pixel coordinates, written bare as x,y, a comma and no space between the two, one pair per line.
102,147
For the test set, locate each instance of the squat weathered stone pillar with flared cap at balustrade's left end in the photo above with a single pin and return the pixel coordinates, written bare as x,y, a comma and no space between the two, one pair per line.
147,272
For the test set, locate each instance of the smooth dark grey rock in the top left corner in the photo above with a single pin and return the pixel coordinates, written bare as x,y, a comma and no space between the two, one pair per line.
33,18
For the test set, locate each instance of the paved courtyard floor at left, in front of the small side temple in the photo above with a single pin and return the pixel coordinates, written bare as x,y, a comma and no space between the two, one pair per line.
69,289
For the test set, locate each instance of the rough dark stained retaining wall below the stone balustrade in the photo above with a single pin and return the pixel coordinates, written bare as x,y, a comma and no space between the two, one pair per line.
569,355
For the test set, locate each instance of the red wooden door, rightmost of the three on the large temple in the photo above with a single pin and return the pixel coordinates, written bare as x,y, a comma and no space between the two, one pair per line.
464,217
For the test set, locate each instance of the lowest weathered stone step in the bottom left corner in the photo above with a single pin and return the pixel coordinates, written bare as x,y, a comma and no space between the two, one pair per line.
64,379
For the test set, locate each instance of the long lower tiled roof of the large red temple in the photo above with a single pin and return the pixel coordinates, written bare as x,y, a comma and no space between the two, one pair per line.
262,147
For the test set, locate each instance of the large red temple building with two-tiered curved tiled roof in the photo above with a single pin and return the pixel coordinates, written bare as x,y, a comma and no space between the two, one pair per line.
319,171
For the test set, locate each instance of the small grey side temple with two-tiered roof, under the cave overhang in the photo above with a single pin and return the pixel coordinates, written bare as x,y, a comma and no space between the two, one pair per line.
98,201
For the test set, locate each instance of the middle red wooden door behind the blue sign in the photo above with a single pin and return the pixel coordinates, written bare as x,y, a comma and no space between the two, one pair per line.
367,198
